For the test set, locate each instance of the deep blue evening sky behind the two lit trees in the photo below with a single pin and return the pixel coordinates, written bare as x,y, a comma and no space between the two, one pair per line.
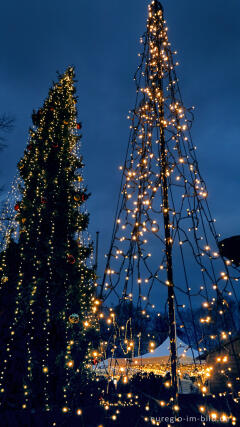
101,38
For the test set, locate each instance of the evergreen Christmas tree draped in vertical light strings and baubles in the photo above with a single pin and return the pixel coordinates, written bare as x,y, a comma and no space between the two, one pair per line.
50,330
